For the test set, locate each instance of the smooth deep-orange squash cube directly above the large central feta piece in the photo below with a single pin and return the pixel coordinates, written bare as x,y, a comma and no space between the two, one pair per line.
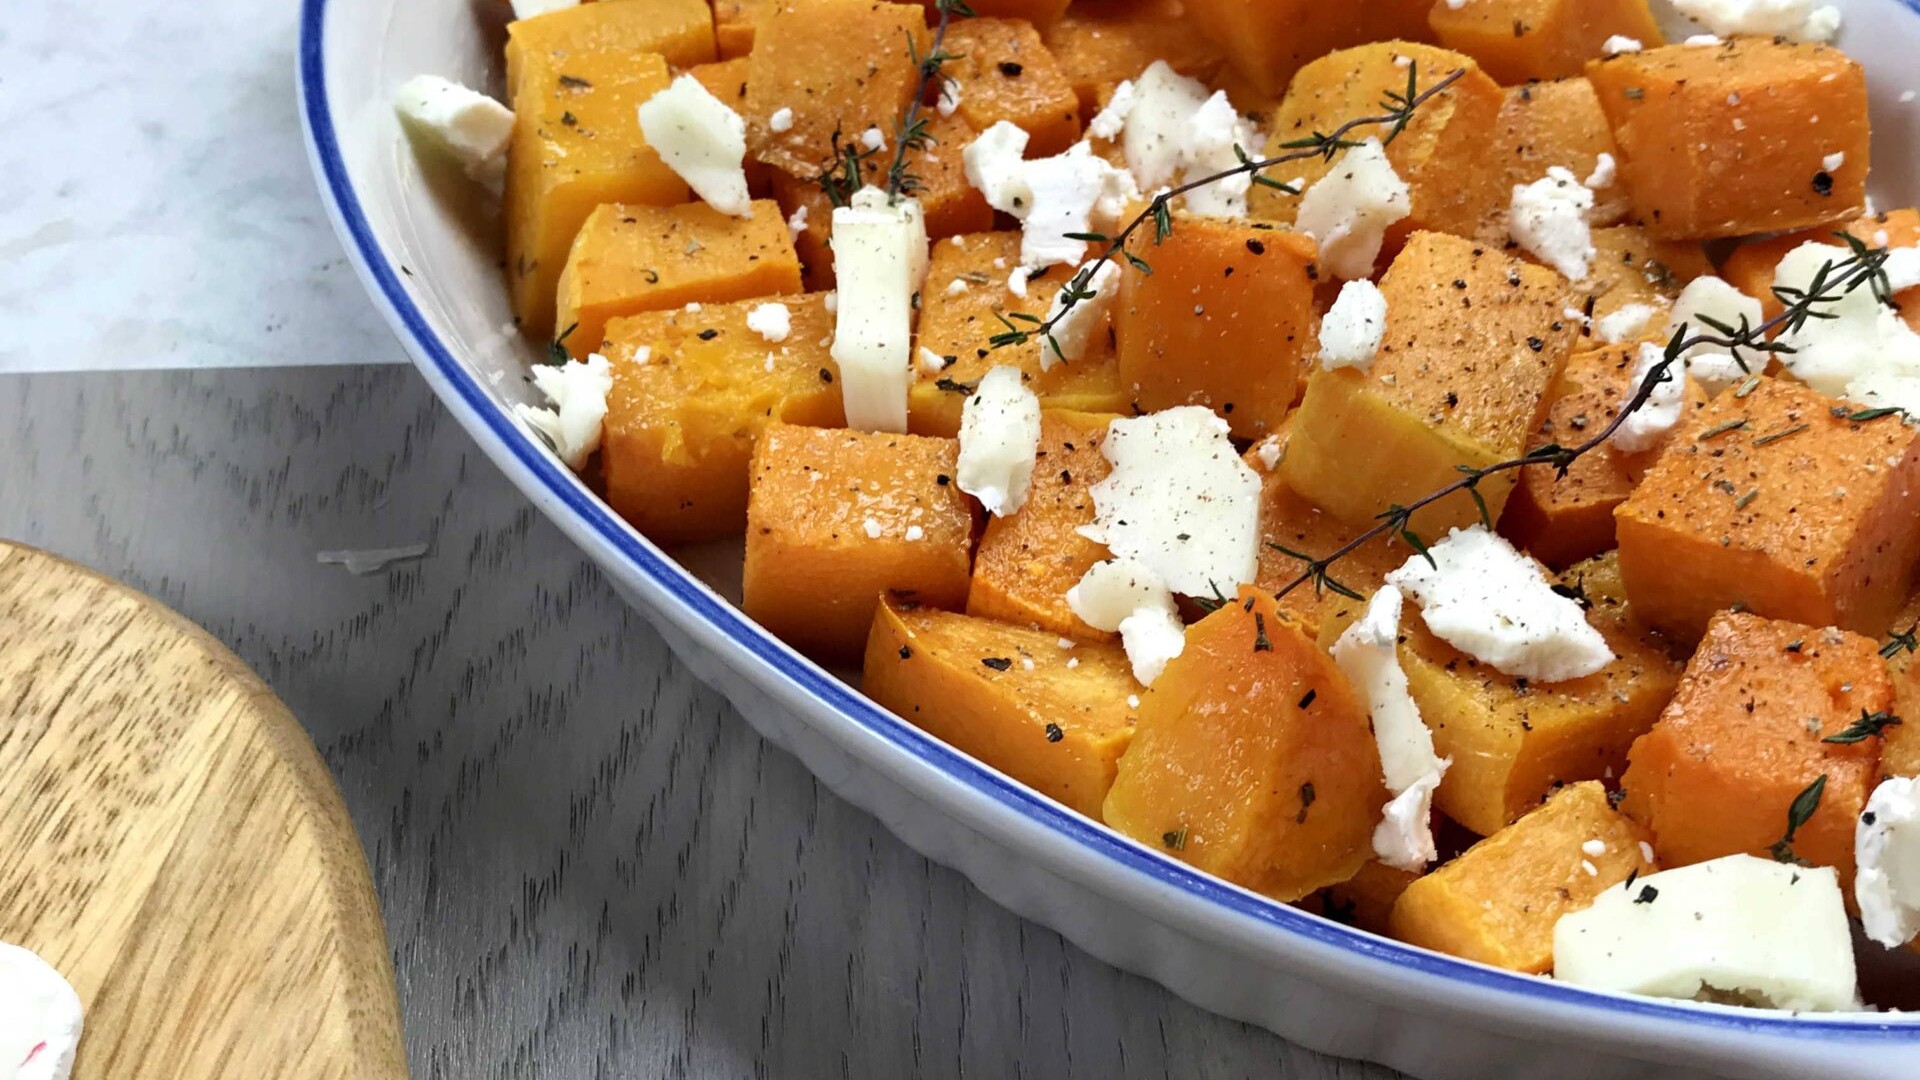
1226,320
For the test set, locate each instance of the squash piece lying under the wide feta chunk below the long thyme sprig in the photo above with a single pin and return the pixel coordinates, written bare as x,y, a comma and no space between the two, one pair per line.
1514,743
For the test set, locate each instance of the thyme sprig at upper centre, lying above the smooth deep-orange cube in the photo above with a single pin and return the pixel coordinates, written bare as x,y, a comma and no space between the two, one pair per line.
1397,114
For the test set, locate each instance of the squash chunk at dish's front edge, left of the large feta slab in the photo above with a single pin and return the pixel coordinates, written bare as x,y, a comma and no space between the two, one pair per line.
1499,902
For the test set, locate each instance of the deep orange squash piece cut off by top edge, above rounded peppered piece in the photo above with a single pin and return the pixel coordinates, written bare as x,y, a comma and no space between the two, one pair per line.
1268,41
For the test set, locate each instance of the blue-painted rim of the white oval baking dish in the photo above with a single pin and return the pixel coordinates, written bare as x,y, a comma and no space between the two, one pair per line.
671,577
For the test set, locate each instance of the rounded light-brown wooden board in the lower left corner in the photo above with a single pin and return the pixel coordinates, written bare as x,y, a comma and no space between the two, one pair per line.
174,845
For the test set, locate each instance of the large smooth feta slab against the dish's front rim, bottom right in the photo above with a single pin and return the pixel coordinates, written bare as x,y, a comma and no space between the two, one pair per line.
1769,933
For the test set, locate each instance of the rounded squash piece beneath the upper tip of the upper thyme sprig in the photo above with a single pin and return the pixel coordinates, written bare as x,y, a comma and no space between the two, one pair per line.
1443,155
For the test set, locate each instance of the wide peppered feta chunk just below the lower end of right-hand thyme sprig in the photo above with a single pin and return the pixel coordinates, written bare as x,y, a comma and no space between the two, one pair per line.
1491,602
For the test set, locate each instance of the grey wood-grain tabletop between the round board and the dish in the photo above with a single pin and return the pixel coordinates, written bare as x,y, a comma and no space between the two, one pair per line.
590,868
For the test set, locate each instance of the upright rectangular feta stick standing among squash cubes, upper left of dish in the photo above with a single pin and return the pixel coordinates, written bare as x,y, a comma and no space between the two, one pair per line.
880,258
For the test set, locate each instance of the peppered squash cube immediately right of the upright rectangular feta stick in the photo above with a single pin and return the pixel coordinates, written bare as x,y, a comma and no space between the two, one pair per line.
961,312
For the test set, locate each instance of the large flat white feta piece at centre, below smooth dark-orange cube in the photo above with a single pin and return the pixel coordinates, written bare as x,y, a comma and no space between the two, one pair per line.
1180,501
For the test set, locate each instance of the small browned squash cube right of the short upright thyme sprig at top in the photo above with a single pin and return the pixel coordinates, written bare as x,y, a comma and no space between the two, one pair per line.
1005,74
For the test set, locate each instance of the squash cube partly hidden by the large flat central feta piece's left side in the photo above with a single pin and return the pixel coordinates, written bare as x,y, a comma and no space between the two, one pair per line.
1030,560
